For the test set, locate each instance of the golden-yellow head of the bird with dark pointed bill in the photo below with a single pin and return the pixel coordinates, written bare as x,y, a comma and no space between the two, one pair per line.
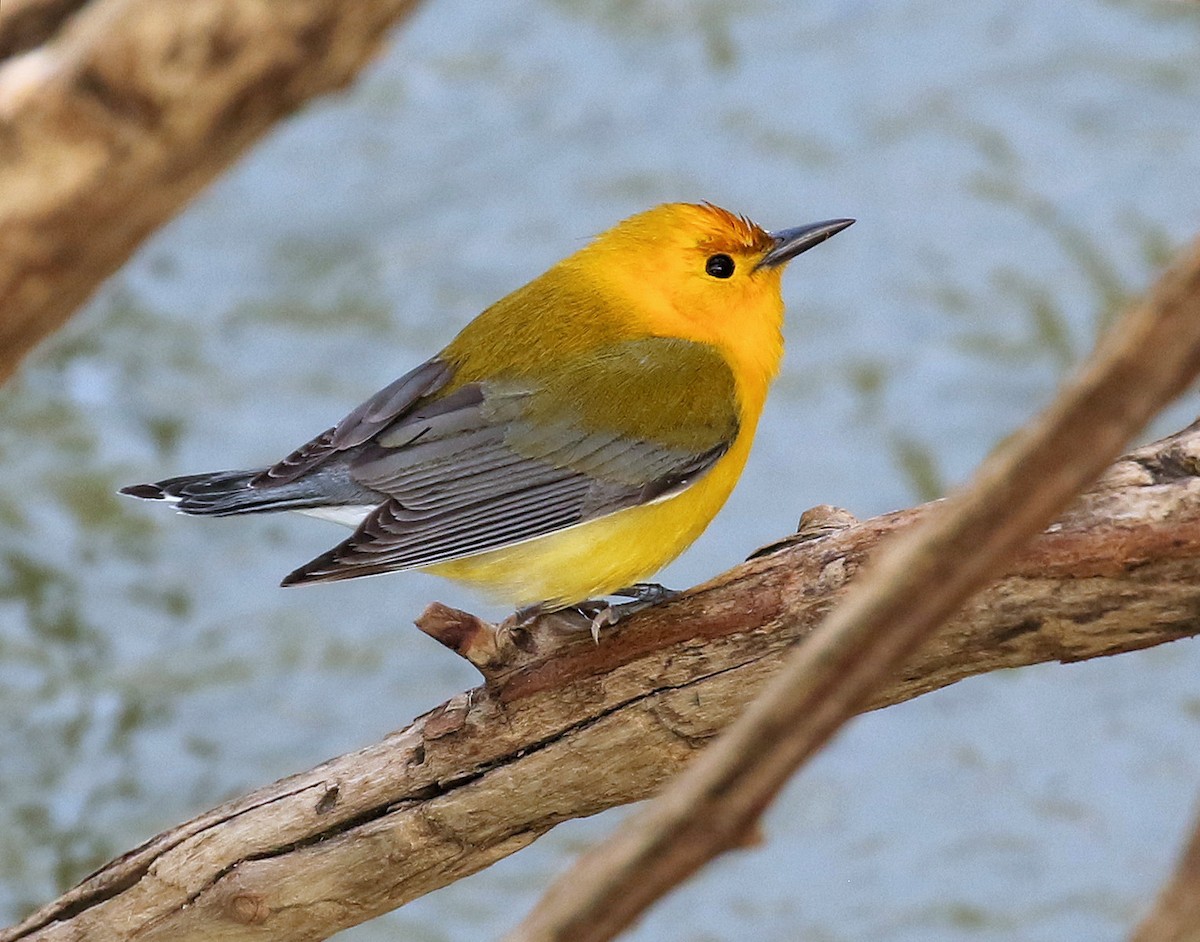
705,274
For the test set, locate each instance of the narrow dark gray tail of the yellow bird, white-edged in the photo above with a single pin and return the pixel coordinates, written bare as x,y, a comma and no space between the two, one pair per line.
224,494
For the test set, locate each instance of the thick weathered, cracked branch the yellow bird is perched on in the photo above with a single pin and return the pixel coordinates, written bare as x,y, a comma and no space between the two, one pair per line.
565,728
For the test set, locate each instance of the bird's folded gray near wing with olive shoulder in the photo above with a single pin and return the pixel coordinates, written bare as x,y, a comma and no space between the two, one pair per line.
483,467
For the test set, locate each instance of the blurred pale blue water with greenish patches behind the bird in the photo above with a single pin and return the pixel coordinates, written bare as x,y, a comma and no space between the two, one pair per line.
1018,171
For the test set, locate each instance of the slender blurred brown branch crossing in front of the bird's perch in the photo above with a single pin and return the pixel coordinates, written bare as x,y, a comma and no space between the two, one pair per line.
915,586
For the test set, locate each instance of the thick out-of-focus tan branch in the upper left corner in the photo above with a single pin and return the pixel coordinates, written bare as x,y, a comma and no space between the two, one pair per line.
124,110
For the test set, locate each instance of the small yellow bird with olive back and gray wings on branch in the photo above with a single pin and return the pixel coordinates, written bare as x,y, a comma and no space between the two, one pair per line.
571,441
